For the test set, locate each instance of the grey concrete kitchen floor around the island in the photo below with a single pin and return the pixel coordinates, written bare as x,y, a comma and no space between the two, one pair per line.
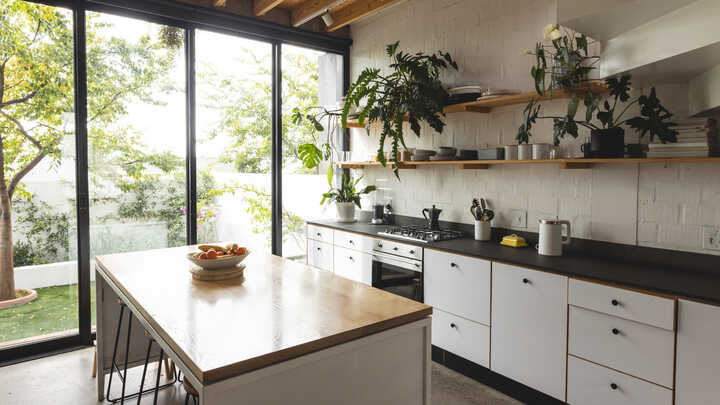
65,379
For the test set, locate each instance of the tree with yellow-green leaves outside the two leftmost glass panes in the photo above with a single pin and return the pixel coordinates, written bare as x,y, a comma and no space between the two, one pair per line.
36,98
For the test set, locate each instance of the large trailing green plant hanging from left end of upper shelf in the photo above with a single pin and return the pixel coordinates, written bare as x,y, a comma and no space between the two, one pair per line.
411,92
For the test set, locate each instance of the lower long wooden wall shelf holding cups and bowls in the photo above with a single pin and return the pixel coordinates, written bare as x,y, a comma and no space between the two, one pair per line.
564,163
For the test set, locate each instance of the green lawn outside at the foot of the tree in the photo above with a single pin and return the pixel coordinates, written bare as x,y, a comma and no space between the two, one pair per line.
54,310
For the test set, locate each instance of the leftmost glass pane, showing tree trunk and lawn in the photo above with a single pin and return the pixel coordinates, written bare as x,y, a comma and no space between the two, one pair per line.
38,257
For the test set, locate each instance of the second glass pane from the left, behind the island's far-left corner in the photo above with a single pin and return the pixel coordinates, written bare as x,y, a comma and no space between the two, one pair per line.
136,134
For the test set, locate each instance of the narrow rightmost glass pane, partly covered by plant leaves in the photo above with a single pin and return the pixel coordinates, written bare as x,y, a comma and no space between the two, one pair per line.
310,79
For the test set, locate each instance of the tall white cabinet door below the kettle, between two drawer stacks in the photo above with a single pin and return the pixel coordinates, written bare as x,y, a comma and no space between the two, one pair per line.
529,327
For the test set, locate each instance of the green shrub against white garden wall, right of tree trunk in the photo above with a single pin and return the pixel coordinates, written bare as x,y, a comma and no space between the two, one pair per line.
45,233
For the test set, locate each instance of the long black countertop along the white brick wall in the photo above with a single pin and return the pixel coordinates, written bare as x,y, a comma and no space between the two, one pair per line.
690,275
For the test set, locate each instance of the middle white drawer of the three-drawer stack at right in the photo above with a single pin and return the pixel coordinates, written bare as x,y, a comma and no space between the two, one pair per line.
640,350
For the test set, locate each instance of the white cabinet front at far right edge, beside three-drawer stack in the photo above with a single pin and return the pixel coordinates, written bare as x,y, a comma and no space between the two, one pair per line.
697,370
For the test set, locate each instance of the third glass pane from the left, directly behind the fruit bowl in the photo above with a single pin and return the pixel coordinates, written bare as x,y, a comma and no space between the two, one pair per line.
234,111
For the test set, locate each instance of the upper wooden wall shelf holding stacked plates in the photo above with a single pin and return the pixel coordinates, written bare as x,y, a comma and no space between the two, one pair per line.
486,105
